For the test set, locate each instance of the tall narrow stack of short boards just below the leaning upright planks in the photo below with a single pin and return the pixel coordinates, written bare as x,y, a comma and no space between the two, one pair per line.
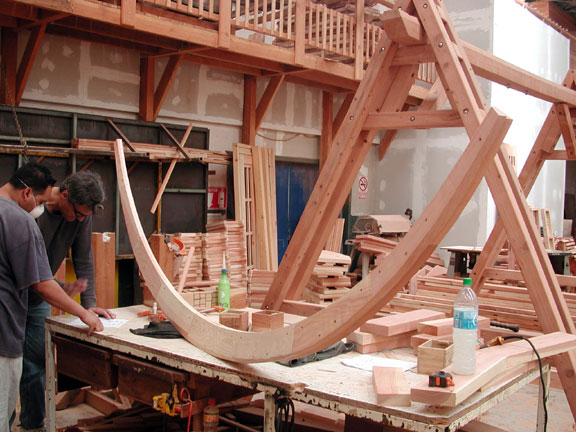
235,250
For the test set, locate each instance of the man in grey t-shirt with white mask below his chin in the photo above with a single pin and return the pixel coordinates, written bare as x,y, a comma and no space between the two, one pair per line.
24,264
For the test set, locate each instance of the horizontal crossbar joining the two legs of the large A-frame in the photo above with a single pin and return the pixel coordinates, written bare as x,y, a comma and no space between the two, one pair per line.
414,120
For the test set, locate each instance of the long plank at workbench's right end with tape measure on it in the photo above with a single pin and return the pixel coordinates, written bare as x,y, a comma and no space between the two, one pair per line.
490,364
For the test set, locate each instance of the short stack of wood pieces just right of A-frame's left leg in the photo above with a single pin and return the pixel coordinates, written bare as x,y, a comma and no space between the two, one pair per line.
328,281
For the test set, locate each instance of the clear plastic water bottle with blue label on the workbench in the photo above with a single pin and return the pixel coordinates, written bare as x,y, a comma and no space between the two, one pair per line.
465,331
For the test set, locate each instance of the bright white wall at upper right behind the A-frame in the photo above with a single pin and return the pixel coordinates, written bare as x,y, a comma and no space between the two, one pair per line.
545,52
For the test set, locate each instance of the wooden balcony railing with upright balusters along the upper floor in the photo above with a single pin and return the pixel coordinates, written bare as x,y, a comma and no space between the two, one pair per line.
301,25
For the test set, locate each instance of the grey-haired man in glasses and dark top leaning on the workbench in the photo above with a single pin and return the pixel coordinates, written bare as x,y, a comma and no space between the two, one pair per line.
66,224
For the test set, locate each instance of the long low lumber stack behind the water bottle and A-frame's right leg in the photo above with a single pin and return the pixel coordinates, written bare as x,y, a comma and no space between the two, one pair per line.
506,303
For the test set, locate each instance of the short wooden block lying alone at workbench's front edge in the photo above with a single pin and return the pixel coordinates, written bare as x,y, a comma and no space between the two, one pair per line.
391,386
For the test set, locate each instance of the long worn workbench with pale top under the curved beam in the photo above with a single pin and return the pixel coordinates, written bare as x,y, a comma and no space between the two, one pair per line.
327,383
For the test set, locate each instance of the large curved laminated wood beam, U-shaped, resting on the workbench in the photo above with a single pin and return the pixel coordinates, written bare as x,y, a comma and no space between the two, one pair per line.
362,302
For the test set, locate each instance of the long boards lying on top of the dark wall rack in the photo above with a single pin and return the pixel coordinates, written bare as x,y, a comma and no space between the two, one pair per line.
156,151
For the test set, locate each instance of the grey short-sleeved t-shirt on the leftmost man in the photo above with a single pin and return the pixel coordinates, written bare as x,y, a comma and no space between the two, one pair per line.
23,262
